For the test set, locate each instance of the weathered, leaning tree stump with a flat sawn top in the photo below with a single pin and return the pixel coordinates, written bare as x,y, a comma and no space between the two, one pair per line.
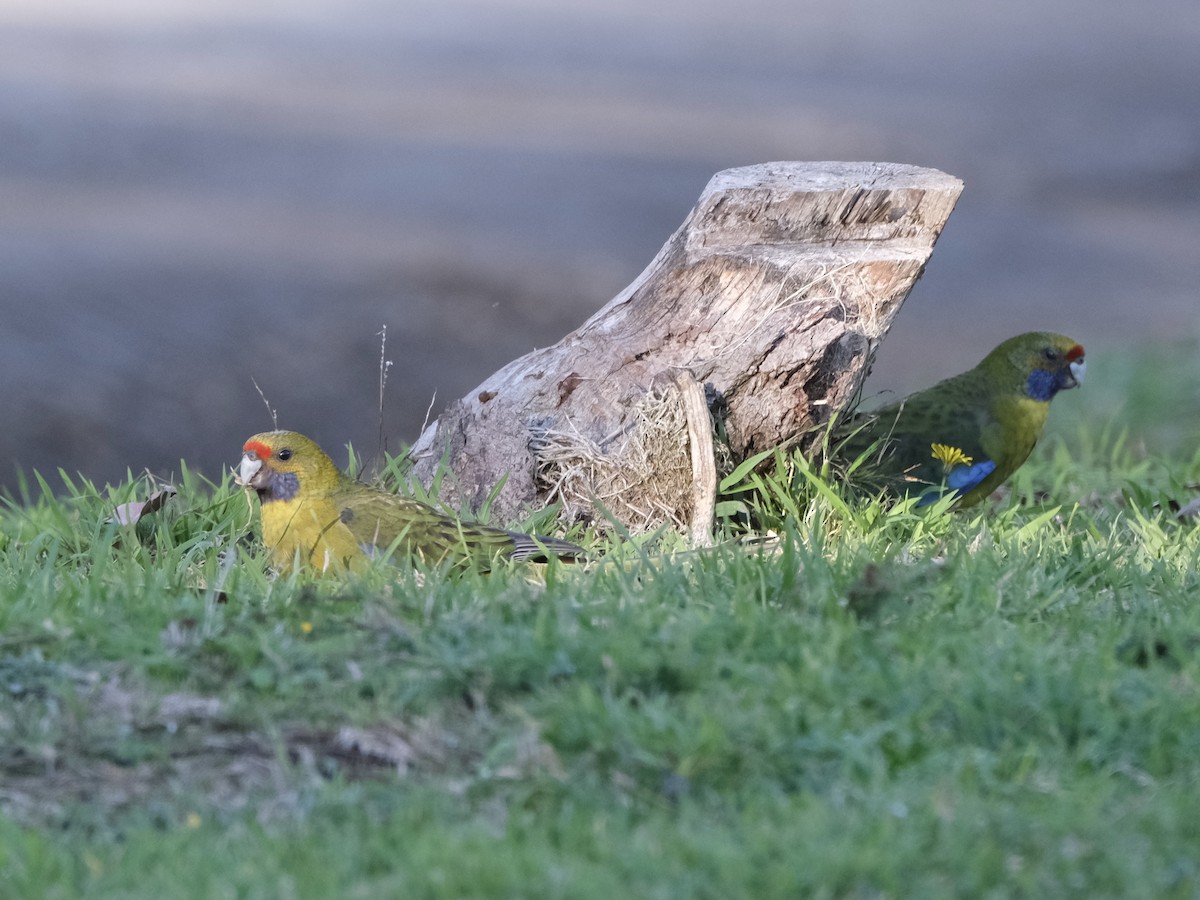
773,296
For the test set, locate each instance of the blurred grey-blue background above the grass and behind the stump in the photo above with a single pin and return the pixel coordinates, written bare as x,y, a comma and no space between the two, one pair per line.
201,195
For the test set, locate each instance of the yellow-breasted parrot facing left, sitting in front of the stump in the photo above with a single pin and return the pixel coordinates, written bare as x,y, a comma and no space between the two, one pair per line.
322,519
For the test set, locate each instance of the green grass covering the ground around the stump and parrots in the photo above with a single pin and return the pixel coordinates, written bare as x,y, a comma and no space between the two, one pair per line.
1001,703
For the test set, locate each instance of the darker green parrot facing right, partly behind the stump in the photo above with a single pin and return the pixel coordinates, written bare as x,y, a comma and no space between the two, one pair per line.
968,435
